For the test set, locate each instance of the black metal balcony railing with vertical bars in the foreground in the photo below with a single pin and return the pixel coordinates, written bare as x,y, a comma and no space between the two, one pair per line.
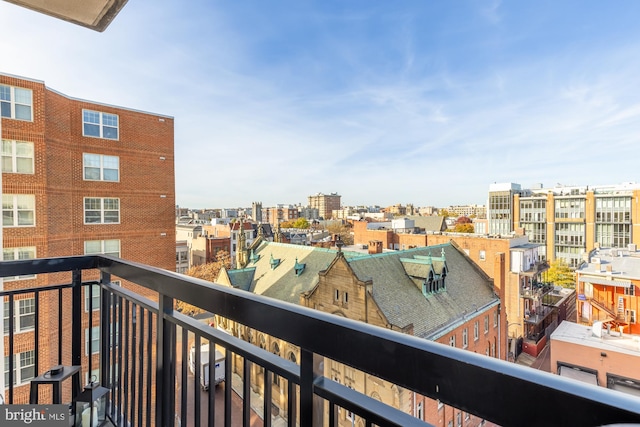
142,361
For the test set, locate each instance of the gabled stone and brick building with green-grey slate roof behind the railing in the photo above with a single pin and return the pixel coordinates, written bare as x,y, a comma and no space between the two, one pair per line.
433,293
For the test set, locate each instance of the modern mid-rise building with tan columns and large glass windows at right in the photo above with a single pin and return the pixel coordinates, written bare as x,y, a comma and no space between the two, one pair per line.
568,221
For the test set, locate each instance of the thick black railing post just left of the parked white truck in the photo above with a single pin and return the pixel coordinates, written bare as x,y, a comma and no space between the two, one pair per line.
165,369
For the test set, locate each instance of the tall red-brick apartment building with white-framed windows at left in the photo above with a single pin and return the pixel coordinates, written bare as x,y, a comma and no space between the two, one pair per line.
78,177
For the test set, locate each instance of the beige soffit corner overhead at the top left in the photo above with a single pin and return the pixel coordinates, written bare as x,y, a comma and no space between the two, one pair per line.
94,14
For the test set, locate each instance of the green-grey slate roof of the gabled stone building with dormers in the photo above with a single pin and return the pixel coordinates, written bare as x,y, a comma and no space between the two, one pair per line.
399,298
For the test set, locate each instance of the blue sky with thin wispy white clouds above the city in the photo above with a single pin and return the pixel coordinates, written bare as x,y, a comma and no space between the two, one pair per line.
419,102
